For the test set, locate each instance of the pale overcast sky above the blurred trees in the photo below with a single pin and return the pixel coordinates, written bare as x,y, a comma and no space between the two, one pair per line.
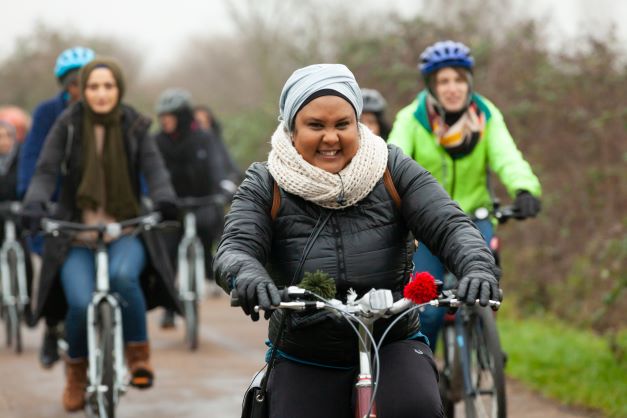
159,29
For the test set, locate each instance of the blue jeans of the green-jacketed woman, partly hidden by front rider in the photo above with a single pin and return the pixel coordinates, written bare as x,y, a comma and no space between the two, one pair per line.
432,318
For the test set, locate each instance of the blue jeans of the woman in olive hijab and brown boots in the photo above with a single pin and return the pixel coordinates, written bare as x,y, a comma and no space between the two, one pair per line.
127,259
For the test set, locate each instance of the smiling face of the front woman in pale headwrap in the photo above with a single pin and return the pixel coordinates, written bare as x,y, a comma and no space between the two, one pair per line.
326,134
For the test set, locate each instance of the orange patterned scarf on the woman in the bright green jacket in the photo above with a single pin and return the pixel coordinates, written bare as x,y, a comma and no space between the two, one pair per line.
461,137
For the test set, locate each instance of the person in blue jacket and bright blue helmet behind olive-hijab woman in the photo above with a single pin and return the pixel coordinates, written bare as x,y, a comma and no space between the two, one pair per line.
66,71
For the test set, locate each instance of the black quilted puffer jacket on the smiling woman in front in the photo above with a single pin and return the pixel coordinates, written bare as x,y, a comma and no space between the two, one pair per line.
364,246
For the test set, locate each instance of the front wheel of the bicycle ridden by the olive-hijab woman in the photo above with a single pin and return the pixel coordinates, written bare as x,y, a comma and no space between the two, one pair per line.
106,360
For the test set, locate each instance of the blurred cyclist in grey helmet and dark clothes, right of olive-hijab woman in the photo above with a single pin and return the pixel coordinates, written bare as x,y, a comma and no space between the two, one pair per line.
194,160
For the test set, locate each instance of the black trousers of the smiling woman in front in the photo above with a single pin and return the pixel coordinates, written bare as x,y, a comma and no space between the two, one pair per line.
408,387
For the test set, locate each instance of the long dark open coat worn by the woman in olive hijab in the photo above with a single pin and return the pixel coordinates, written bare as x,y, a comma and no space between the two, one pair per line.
62,155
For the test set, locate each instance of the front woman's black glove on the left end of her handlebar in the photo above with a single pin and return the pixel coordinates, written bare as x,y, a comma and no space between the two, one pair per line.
256,290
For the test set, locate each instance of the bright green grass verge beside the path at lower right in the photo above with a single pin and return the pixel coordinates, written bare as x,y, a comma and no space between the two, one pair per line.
573,366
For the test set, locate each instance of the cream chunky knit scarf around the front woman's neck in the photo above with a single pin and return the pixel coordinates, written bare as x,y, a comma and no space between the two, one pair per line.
295,175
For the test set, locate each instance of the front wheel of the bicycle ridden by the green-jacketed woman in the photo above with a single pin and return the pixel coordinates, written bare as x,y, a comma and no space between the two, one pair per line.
487,398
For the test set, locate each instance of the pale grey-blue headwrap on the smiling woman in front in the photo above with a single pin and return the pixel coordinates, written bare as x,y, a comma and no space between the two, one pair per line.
308,80
